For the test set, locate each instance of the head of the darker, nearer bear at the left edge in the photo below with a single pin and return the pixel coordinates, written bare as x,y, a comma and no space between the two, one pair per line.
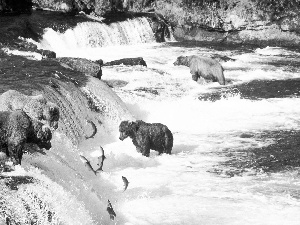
40,134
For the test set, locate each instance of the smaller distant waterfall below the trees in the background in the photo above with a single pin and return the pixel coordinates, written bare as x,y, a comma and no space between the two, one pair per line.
96,34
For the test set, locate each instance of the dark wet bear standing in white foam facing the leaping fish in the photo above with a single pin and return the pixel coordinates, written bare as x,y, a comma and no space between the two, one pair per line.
146,136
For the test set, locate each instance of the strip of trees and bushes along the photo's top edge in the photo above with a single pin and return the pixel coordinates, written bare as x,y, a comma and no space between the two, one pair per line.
212,13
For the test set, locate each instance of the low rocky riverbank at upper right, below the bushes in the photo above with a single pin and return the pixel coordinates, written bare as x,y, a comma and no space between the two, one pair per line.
259,32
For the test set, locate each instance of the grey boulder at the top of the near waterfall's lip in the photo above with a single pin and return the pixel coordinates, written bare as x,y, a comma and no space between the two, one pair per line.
82,65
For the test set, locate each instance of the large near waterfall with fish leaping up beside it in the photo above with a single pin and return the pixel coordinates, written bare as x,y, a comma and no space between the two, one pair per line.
55,187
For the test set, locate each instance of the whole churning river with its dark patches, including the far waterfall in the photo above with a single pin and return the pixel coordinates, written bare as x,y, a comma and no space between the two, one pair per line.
235,158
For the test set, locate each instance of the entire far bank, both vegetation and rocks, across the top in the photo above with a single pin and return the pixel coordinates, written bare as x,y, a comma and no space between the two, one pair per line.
268,22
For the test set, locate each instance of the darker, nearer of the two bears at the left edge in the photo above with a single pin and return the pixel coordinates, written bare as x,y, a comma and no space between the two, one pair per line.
16,129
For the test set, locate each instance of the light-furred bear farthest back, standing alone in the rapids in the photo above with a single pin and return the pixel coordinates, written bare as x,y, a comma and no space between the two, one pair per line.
201,66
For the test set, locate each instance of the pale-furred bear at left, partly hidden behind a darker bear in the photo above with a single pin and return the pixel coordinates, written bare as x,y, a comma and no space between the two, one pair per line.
36,107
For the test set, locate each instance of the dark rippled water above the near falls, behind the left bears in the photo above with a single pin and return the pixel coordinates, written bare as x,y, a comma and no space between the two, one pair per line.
28,76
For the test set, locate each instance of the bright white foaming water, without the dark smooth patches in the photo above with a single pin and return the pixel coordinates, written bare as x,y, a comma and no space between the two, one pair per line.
178,188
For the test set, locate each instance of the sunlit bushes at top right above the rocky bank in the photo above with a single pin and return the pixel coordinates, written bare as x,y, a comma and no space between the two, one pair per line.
214,13
